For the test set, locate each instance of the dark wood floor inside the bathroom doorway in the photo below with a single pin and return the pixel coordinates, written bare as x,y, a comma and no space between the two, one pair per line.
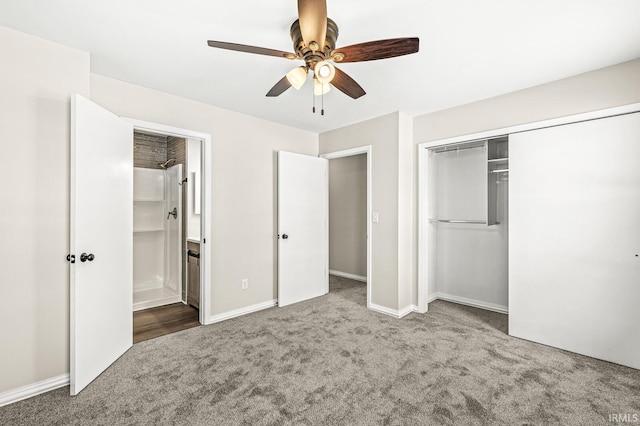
155,322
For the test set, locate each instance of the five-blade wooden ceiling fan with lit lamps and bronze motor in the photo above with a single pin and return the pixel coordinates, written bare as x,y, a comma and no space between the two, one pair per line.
314,37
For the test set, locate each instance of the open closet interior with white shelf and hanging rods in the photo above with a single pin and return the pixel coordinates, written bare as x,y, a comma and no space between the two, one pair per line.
468,222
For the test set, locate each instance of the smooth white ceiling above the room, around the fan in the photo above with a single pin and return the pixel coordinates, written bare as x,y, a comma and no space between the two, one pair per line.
469,49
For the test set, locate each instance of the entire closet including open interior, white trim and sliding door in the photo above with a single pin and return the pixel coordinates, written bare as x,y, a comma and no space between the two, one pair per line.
542,223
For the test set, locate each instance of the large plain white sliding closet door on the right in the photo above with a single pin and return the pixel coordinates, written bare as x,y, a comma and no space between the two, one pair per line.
574,237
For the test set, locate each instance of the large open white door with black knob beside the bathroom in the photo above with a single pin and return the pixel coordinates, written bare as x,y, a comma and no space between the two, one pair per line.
101,229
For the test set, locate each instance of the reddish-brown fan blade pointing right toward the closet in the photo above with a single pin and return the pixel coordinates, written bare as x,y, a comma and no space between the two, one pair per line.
380,49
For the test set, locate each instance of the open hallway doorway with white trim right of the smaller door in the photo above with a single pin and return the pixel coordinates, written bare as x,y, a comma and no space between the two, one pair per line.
349,215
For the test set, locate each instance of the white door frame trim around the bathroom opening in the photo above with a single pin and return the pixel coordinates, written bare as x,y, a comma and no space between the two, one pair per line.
205,197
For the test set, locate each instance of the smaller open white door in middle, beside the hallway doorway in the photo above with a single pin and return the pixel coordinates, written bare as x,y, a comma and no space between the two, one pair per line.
303,206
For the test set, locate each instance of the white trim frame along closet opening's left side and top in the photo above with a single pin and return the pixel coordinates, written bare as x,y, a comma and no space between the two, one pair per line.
423,148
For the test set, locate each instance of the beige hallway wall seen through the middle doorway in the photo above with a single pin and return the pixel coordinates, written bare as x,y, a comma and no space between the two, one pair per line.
348,215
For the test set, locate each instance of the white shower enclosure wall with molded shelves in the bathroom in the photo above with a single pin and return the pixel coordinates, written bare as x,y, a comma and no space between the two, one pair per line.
157,236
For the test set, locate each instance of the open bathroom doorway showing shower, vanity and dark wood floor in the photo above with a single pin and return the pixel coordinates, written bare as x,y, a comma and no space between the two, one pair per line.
168,232
